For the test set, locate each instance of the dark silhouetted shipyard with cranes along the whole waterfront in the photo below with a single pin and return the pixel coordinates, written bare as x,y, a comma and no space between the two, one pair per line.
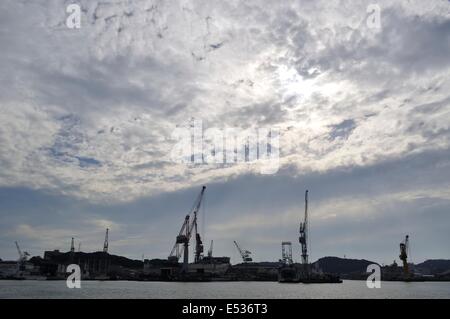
101,265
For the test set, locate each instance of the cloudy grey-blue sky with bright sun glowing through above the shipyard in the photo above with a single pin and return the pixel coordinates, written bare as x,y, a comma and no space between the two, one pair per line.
359,93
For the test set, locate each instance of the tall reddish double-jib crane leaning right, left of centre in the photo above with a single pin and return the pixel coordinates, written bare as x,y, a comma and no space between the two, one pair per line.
187,229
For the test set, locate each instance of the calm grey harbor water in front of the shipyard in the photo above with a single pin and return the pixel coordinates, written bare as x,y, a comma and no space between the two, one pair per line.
129,289
